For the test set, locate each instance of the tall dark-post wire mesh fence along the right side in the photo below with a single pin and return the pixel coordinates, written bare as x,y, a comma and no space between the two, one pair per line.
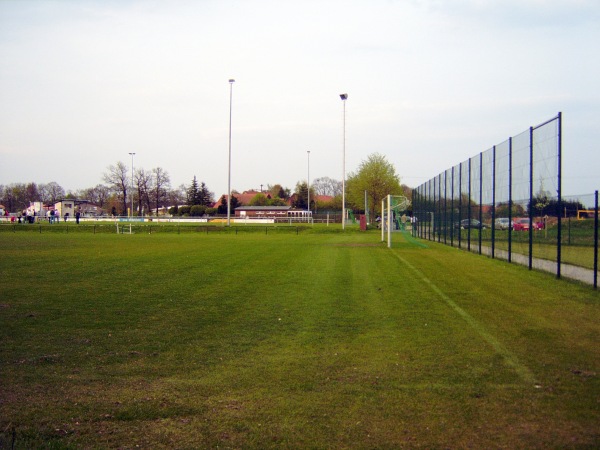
507,202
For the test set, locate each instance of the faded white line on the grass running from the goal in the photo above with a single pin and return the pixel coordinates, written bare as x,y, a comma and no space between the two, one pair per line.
509,357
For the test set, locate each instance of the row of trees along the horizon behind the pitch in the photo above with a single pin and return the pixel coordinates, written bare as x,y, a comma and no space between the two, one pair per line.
151,191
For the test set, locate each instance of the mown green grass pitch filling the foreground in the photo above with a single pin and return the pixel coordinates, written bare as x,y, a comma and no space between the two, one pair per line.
289,339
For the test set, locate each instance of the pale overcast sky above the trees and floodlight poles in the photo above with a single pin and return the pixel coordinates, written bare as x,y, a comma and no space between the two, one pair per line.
430,83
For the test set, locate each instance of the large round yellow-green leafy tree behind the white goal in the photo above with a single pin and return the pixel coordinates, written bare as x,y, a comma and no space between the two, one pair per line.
378,178
